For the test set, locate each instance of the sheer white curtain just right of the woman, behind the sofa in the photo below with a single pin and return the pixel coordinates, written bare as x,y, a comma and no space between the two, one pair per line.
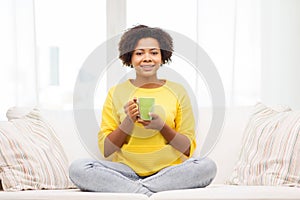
230,33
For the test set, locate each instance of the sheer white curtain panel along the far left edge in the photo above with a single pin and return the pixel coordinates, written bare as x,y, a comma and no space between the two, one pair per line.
18,67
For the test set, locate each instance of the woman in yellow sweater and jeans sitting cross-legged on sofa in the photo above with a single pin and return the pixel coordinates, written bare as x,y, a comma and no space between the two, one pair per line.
147,155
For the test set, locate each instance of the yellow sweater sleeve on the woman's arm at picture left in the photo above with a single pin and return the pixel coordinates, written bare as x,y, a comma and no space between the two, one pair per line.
109,122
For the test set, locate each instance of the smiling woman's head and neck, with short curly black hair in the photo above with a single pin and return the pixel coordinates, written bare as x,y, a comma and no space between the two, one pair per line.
146,49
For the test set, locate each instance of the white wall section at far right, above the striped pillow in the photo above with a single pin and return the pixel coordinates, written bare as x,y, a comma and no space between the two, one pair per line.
281,52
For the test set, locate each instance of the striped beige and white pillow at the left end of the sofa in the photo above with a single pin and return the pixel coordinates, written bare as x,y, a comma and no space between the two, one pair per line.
31,156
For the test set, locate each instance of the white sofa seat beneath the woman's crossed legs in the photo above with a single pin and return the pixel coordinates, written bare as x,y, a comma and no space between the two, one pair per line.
213,192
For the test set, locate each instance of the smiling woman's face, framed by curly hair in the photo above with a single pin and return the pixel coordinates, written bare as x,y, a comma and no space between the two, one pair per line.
146,58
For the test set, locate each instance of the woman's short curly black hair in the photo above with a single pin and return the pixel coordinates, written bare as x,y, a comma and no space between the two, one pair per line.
131,37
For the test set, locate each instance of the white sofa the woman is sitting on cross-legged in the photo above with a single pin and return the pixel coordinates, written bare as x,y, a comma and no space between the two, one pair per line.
225,154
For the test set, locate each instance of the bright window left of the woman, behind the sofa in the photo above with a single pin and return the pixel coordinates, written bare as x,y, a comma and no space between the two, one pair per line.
66,33
